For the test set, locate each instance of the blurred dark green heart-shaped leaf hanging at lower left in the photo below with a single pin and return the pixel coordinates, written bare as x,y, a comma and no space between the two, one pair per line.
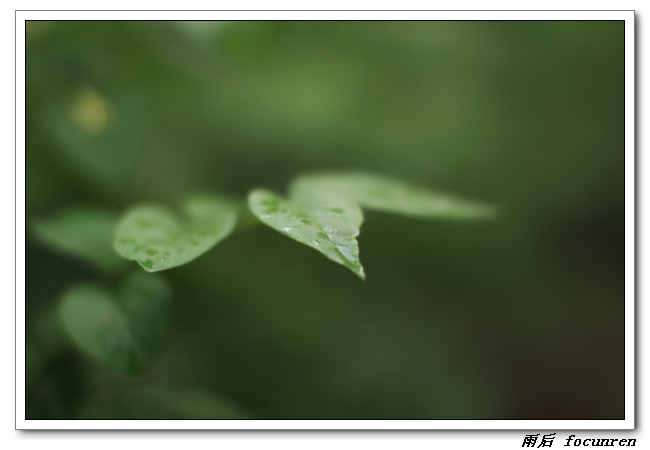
126,329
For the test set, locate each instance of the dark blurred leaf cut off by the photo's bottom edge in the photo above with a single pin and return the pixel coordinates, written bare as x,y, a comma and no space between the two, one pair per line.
163,403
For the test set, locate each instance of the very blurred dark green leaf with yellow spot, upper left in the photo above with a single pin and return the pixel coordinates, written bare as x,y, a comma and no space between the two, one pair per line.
99,137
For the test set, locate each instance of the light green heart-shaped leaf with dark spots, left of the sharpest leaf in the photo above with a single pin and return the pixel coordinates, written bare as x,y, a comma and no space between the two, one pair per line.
158,239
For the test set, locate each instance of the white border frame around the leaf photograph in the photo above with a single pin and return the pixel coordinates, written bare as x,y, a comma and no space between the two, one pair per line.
554,425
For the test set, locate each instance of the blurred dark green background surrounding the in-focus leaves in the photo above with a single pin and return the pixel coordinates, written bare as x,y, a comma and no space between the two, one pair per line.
519,318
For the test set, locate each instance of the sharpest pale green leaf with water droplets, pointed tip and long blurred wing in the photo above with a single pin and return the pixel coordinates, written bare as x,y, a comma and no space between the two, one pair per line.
323,211
